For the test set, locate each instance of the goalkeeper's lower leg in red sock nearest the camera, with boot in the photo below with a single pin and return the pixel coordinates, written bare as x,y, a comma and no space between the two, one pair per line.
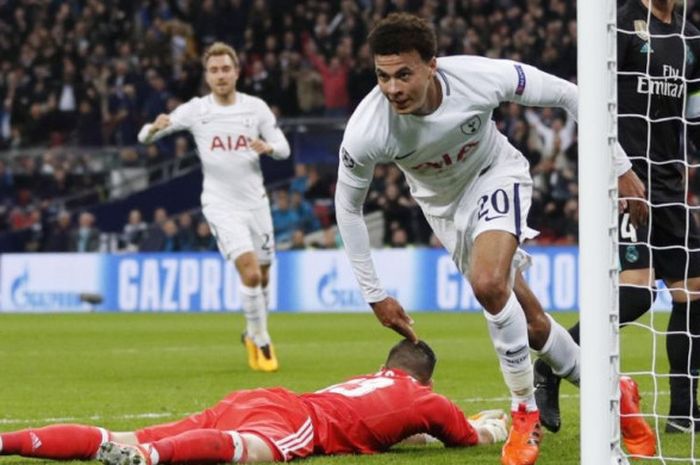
196,446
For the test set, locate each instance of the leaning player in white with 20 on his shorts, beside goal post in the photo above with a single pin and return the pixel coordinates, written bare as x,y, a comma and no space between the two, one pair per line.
432,118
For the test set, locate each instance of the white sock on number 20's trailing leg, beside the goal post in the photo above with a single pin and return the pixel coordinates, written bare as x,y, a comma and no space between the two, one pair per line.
562,353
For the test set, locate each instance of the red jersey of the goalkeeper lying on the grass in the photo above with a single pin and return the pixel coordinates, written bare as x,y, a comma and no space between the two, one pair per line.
370,413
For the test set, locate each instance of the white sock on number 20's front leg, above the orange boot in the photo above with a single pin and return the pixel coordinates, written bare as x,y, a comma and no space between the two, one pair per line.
508,330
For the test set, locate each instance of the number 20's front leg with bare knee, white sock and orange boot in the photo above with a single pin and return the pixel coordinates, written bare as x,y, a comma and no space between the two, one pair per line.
490,271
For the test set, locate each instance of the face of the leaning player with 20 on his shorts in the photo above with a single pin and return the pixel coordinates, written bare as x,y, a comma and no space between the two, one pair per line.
405,79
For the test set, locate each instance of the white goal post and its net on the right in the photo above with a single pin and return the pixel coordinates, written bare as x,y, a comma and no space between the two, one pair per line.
647,67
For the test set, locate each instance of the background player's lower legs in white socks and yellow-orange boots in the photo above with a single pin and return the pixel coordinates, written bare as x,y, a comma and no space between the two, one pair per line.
261,352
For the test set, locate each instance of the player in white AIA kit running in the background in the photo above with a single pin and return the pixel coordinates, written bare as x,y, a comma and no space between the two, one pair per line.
232,130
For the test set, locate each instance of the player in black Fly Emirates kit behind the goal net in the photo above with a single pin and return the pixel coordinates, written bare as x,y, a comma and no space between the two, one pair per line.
658,91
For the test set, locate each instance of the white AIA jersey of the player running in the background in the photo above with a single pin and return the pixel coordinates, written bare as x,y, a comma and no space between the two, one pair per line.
230,167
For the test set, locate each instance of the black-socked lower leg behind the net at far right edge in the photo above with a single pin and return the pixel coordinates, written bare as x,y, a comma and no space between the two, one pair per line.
684,327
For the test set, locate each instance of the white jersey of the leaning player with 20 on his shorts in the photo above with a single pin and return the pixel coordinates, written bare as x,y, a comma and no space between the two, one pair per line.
442,153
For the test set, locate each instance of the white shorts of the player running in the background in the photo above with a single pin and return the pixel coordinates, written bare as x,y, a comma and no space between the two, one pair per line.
240,231
